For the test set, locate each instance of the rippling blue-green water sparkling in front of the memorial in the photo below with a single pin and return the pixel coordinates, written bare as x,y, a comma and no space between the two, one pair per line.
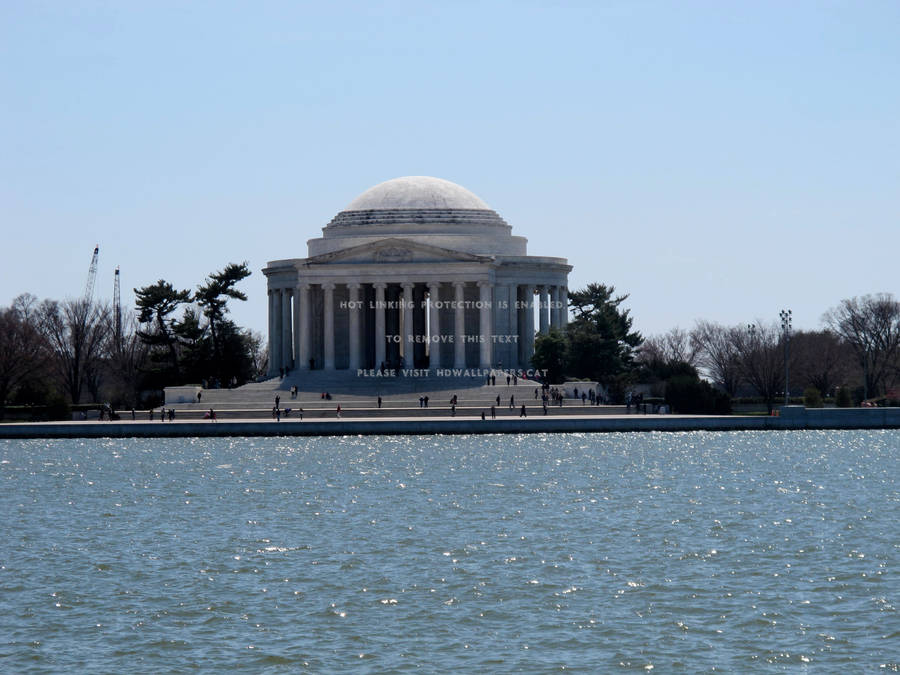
693,552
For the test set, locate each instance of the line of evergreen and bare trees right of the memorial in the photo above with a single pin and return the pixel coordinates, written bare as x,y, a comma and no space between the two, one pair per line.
853,357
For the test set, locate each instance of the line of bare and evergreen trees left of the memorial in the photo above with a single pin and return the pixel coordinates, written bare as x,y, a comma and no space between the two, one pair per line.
58,353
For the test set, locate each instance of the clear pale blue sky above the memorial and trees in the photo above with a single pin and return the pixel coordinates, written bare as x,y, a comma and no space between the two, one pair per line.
716,160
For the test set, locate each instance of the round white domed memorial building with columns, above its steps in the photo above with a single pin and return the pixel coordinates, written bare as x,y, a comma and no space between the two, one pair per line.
415,273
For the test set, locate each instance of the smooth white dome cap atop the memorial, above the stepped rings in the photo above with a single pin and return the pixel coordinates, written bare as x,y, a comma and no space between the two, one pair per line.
417,192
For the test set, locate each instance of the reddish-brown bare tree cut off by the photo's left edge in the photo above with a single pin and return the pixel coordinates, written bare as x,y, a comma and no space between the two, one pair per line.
22,347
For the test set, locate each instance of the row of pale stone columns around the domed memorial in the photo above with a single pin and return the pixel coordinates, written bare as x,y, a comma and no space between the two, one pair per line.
381,324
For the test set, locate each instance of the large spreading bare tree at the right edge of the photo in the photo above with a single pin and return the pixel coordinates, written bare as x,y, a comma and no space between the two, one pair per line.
871,326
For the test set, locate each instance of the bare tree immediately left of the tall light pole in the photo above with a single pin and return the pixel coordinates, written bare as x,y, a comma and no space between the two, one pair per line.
759,348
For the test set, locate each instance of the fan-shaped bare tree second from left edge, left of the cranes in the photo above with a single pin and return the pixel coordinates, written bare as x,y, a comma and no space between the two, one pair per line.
76,331
